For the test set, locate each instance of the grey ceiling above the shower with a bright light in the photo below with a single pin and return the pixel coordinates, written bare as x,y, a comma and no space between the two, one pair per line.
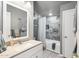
44,7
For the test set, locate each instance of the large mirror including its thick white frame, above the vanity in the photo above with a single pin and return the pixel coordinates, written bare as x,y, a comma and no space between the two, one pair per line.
15,19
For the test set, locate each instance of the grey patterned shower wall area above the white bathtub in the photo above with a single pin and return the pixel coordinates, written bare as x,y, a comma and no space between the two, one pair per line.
53,28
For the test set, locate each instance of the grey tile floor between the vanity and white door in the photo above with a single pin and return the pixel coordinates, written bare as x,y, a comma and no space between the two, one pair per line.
50,54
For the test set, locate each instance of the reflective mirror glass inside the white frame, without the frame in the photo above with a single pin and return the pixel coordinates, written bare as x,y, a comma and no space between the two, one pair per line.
17,20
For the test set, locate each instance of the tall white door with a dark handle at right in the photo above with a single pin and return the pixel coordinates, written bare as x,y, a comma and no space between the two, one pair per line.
68,36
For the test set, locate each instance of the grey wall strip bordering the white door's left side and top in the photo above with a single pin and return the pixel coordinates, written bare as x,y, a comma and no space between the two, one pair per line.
67,6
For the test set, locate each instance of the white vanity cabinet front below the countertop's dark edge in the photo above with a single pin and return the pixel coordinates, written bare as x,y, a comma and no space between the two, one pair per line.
34,52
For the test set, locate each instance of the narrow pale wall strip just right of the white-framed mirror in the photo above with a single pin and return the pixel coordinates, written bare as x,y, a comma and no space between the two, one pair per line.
31,21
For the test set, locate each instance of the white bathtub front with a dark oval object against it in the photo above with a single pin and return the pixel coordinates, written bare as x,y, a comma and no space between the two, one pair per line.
49,46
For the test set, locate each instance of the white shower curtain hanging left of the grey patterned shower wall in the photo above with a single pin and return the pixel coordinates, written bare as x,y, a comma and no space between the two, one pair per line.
42,29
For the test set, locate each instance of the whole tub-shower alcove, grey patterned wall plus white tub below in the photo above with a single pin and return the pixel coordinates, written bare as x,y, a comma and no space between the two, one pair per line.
53,33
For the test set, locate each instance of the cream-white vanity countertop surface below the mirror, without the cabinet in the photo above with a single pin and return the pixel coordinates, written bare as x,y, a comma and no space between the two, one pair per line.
18,48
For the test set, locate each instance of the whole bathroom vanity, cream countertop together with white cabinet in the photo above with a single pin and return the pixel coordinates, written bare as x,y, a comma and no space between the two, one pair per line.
28,49
